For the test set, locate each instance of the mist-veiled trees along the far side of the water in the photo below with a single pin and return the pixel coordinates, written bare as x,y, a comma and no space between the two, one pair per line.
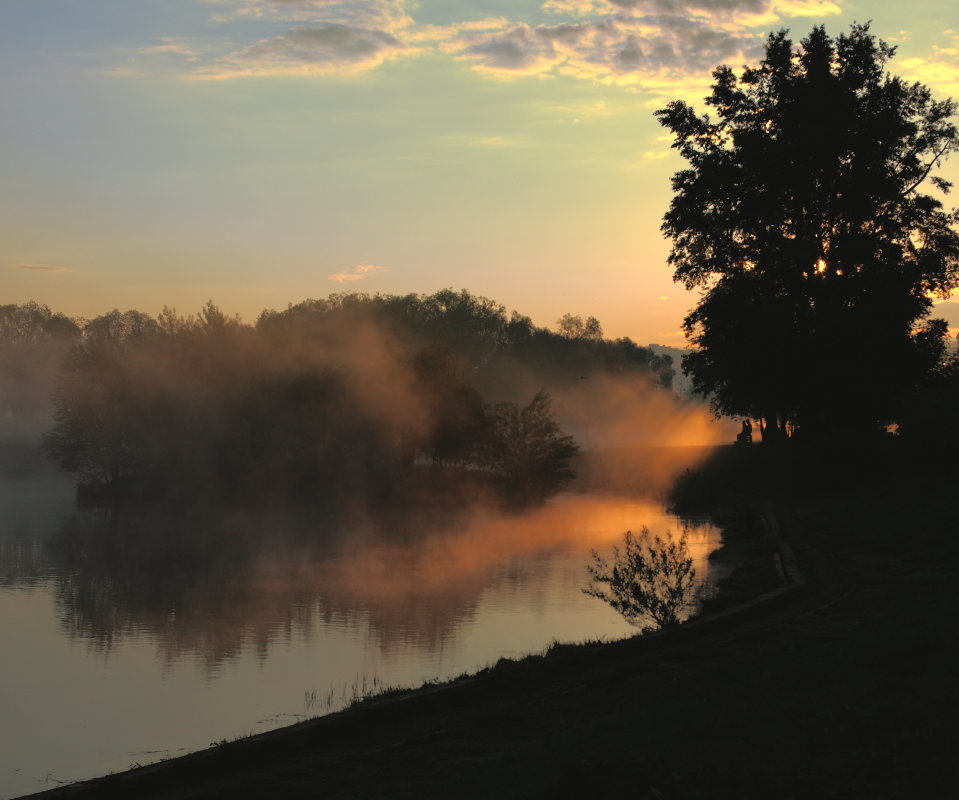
354,395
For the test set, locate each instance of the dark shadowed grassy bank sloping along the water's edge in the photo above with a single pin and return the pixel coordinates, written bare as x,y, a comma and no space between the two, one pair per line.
845,686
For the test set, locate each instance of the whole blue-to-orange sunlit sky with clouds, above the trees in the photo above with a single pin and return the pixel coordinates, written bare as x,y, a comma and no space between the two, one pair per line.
261,152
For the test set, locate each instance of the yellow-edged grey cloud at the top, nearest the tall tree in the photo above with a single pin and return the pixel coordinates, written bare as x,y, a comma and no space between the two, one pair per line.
659,47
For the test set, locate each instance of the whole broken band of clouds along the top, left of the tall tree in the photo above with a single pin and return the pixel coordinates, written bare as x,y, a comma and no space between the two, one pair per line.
653,45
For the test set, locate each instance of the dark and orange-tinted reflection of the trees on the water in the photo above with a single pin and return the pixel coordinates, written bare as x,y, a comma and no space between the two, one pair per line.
211,585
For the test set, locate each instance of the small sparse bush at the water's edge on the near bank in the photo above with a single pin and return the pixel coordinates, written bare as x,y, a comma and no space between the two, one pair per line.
650,581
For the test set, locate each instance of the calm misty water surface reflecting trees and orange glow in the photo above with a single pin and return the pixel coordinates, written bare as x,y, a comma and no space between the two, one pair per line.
128,638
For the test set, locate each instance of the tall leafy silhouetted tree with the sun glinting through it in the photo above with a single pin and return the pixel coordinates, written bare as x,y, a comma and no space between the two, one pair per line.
800,216
